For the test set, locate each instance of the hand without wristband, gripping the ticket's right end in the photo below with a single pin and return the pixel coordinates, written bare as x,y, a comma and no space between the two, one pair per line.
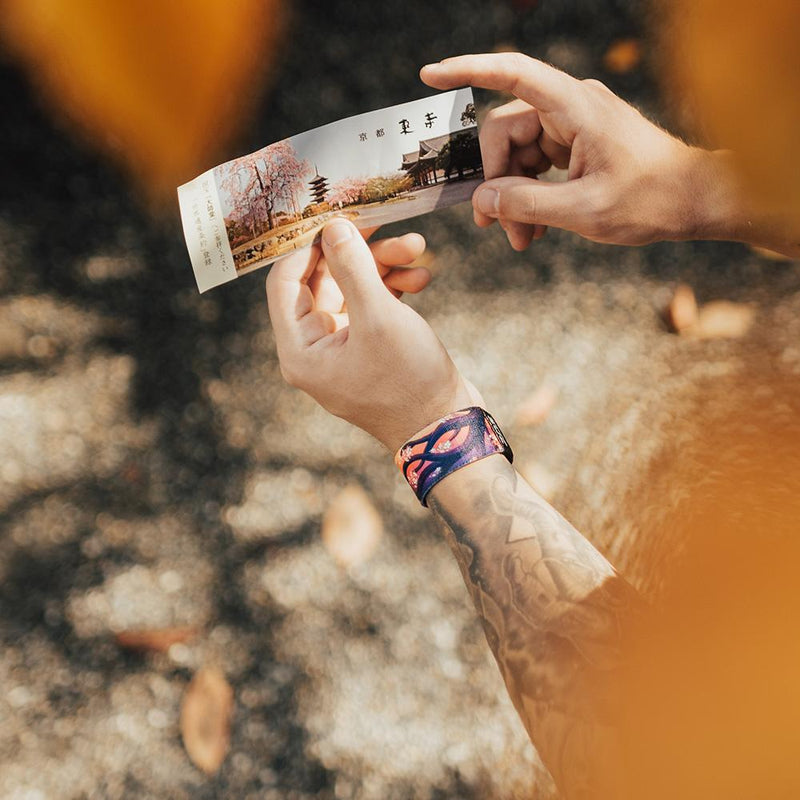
628,181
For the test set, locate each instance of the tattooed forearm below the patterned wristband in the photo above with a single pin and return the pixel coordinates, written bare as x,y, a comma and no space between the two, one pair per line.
556,615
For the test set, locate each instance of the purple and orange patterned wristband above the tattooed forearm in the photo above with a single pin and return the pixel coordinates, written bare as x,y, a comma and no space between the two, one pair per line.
448,444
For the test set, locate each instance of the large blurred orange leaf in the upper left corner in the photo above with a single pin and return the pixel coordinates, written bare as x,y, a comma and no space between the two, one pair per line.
160,85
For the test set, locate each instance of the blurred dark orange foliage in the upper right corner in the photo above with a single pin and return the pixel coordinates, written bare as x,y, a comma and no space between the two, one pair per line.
740,65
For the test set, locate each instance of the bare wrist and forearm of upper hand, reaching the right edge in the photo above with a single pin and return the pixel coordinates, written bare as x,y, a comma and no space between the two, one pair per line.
721,208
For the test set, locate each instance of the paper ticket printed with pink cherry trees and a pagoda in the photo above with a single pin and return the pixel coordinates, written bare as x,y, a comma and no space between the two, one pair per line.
373,168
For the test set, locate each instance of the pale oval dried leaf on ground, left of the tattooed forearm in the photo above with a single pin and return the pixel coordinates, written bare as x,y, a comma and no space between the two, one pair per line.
351,527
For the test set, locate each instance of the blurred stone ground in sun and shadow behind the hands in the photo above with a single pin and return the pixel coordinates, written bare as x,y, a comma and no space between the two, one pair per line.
155,471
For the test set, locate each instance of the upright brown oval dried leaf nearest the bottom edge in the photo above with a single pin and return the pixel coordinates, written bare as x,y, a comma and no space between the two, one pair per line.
206,719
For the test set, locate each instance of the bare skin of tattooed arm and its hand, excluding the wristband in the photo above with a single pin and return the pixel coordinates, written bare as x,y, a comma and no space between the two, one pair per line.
556,614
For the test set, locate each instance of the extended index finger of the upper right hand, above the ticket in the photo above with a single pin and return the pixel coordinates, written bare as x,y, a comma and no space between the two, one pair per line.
537,83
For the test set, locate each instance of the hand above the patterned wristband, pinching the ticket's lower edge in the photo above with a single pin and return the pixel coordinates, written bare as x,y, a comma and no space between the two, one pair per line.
345,338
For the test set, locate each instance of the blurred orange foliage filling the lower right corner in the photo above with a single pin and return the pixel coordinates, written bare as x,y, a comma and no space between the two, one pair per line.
711,701
